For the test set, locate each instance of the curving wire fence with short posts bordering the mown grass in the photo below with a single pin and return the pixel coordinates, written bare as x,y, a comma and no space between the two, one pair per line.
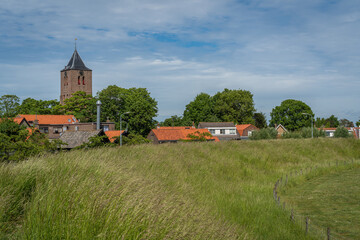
309,226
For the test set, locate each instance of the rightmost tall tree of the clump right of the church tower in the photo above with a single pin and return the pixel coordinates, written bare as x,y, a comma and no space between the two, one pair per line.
142,109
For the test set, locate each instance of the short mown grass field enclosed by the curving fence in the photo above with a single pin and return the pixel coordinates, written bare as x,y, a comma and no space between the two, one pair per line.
330,199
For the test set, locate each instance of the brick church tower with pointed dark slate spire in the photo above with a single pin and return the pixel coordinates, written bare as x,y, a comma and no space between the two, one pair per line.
75,77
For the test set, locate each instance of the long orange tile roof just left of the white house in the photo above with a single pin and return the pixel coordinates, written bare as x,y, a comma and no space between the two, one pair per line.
179,134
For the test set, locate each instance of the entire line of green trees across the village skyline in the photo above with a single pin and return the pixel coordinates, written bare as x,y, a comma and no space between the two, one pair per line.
227,106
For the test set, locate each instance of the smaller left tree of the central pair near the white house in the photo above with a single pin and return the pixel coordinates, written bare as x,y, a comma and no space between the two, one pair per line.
200,110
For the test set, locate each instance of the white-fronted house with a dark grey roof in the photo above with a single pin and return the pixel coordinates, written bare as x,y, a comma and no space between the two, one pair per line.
222,130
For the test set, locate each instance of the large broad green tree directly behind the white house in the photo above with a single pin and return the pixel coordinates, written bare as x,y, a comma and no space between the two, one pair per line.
234,106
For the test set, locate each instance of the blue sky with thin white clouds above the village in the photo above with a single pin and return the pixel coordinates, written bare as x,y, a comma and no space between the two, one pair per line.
306,50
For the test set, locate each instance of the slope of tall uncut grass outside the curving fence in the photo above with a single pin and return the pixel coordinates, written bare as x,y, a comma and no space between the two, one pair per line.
183,191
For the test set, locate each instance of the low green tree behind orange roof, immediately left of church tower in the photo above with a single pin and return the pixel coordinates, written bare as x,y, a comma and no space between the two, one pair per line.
33,106
